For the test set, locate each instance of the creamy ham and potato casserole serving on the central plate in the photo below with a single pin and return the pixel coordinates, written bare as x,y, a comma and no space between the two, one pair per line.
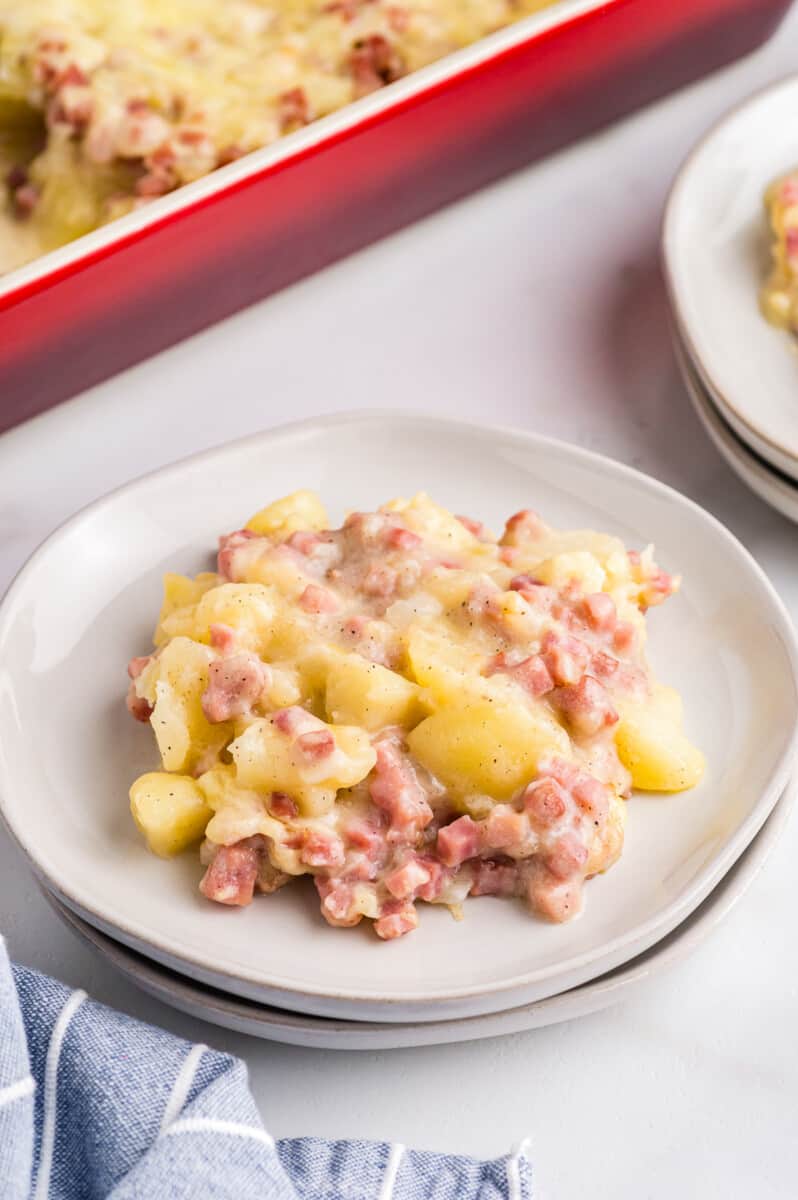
406,709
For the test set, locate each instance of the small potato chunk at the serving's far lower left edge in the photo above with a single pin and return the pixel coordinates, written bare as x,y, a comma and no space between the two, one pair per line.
170,811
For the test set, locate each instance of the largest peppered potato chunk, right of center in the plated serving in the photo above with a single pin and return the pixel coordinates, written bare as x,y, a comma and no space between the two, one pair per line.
483,747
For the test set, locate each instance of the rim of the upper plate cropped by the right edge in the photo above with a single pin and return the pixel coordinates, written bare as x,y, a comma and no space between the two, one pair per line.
669,242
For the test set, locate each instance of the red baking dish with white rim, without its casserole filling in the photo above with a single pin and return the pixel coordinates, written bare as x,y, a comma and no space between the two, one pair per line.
134,287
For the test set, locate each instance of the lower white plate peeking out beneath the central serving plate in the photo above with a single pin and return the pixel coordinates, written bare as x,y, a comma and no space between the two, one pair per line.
320,1033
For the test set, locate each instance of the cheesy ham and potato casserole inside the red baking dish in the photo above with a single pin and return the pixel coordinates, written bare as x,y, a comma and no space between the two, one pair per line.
109,104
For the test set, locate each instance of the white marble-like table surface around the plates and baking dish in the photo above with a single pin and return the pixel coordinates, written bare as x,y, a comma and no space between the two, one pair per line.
537,303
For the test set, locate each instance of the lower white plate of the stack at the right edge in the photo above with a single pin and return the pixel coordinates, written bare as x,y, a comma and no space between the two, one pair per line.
767,482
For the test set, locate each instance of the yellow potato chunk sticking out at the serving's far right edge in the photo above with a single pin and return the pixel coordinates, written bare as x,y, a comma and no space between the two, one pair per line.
655,749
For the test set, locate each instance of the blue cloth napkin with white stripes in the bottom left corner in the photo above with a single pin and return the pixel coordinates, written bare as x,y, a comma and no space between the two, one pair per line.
95,1105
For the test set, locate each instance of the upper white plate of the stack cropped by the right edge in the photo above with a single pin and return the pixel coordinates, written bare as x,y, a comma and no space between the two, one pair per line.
716,253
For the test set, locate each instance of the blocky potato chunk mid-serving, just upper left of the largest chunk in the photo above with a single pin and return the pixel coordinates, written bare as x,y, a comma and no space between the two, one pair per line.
367,694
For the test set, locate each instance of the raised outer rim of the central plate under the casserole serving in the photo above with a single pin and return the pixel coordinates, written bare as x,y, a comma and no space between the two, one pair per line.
79,896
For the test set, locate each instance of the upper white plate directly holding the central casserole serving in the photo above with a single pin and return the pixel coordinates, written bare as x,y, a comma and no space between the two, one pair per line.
86,603
